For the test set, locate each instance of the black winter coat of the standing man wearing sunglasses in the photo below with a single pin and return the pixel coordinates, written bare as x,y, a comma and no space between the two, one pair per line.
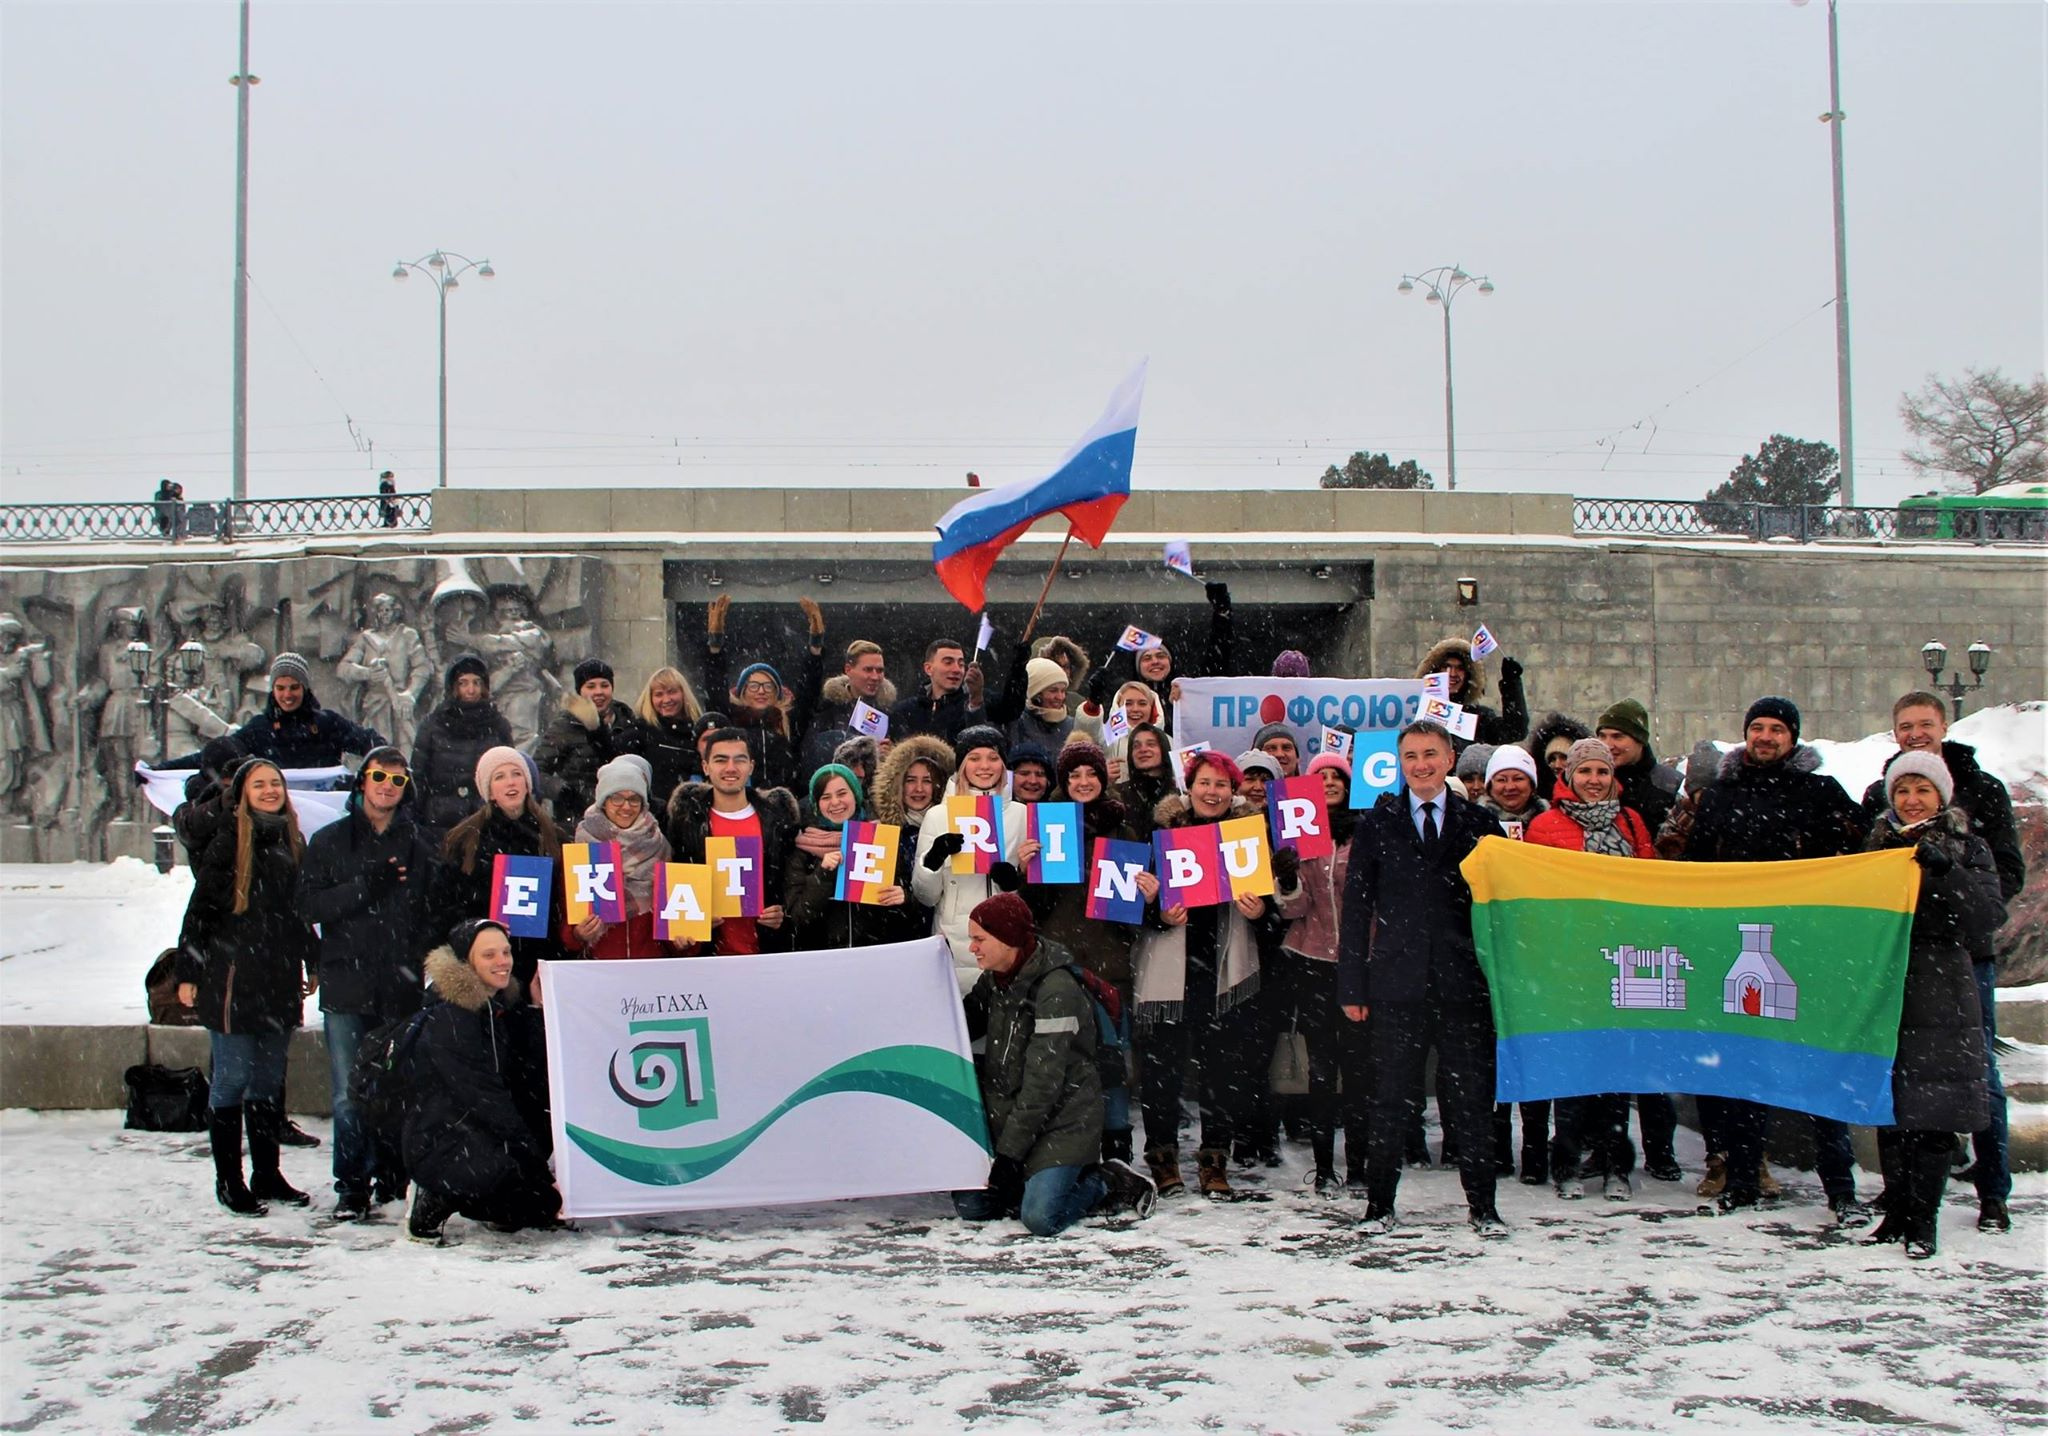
370,947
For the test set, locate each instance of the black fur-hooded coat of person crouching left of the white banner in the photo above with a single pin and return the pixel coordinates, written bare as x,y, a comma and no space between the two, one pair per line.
476,1095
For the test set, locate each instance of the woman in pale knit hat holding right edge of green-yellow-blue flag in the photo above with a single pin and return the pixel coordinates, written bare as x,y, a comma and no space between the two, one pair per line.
1938,1074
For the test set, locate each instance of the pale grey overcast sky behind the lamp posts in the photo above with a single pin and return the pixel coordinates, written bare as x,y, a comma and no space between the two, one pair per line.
888,245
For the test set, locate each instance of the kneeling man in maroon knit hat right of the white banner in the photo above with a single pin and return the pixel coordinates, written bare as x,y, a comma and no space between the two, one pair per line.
1039,1081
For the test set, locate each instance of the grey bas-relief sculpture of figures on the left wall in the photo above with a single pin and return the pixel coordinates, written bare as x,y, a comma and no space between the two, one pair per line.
378,634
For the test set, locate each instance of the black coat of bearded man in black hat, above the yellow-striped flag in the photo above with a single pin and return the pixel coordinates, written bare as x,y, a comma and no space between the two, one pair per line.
1775,812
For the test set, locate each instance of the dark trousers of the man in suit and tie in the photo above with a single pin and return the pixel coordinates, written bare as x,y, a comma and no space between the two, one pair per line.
1400,1038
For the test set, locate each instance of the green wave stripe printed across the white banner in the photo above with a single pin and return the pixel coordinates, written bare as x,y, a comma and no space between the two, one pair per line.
933,1079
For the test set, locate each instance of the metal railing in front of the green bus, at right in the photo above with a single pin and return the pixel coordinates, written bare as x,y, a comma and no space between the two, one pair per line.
1803,523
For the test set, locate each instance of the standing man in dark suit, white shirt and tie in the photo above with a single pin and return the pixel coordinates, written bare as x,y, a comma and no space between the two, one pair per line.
1406,960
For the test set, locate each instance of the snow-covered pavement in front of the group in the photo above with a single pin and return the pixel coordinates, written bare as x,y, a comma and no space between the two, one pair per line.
134,1304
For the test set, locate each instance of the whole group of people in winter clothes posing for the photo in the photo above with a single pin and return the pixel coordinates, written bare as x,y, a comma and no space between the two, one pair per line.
1367,956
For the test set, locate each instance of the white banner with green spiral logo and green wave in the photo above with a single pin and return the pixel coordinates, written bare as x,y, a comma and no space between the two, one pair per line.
697,1083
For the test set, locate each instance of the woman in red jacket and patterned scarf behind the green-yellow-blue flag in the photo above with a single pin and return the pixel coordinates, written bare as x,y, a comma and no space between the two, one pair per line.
1586,816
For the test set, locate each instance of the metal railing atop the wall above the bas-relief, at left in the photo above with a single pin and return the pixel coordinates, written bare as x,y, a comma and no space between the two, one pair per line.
220,523
